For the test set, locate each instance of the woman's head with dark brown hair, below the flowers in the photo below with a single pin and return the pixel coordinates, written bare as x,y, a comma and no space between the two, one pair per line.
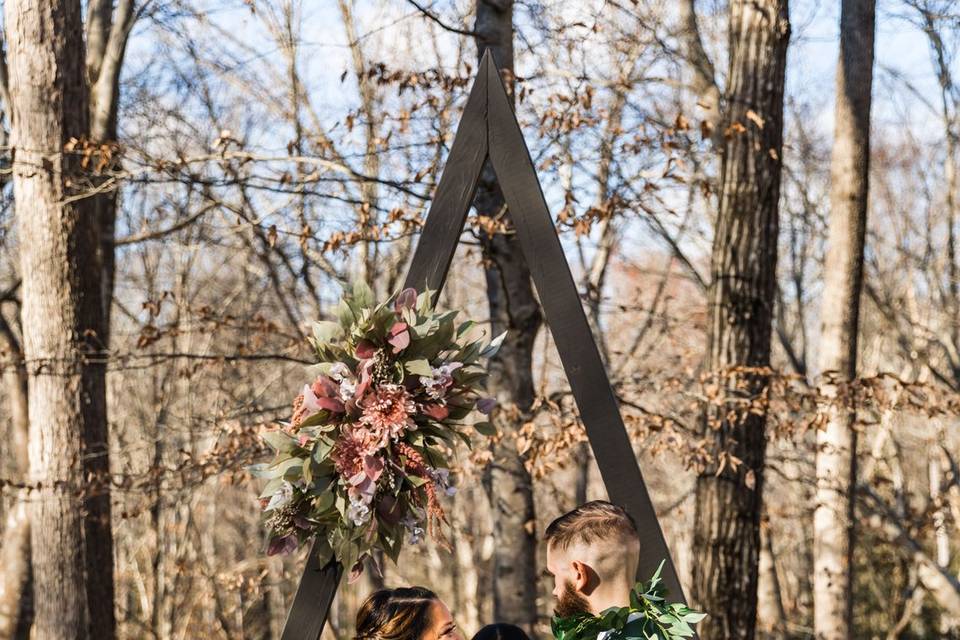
408,613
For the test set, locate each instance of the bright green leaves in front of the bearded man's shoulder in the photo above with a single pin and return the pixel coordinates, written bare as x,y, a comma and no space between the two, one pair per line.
648,617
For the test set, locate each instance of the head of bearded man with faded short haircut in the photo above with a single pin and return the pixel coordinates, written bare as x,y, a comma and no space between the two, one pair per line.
592,553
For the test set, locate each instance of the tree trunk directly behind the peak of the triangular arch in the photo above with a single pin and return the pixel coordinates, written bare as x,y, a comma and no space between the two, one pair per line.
513,308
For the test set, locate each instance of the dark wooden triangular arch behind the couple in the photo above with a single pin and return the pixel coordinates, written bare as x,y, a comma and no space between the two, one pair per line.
489,129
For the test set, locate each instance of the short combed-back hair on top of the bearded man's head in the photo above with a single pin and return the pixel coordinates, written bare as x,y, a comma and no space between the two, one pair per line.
591,523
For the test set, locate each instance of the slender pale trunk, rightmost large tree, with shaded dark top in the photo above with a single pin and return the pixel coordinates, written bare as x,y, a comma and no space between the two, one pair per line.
843,276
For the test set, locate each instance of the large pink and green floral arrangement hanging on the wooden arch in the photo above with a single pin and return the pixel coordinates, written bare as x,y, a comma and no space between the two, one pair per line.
362,463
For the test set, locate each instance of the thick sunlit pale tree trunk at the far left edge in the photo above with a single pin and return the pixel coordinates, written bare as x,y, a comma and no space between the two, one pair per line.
60,266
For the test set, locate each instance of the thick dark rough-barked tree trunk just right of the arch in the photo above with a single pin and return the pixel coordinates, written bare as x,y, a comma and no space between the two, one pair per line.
741,298
